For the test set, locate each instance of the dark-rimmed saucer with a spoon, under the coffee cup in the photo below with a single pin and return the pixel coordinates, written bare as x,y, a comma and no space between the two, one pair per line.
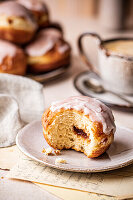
107,98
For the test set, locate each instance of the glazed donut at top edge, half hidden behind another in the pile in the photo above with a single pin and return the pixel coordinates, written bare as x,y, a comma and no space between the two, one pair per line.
38,9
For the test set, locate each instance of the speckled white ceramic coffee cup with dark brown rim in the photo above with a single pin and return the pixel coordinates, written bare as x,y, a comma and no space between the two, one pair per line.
115,66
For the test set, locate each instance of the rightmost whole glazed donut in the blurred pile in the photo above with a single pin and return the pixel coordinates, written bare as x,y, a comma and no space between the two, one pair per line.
48,51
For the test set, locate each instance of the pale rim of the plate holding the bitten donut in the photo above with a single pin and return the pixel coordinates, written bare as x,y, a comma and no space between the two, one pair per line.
62,167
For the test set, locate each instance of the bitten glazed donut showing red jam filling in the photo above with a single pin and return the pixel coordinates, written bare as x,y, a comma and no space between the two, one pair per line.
80,123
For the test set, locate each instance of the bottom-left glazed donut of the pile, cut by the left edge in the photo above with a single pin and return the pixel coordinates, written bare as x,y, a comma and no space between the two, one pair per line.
12,59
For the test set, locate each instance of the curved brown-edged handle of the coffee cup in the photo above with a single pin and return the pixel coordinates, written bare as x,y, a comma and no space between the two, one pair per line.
82,51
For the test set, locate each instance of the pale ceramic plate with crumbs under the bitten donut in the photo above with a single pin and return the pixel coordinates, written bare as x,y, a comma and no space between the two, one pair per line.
30,141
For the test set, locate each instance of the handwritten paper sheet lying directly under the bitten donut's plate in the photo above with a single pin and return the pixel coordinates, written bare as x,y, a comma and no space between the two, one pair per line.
115,183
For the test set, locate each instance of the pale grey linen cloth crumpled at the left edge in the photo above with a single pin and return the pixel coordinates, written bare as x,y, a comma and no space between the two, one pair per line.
21,101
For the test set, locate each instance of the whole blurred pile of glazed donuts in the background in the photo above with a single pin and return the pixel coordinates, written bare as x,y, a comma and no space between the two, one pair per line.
28,40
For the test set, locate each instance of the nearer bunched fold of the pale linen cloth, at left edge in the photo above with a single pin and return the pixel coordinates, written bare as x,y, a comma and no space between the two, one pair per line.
10,121
